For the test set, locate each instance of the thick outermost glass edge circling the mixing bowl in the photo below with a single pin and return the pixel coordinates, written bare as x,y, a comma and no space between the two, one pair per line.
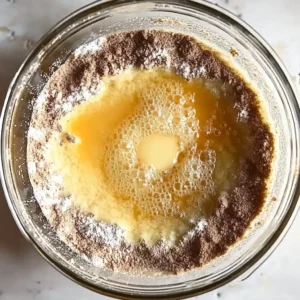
239,25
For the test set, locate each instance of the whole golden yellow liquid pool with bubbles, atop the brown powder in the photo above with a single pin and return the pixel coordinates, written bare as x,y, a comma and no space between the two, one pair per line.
152,153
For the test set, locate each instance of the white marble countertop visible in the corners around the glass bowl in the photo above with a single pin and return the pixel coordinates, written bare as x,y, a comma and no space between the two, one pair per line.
24,274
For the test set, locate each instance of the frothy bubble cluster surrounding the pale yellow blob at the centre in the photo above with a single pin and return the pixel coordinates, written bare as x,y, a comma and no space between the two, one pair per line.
164,108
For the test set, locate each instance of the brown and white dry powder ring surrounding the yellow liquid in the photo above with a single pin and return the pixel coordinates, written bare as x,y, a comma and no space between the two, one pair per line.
81,74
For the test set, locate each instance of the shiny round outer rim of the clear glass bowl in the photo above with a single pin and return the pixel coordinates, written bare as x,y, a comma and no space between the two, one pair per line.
248,267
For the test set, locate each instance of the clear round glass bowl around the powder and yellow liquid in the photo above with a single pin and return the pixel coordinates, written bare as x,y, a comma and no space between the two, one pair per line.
215,27
